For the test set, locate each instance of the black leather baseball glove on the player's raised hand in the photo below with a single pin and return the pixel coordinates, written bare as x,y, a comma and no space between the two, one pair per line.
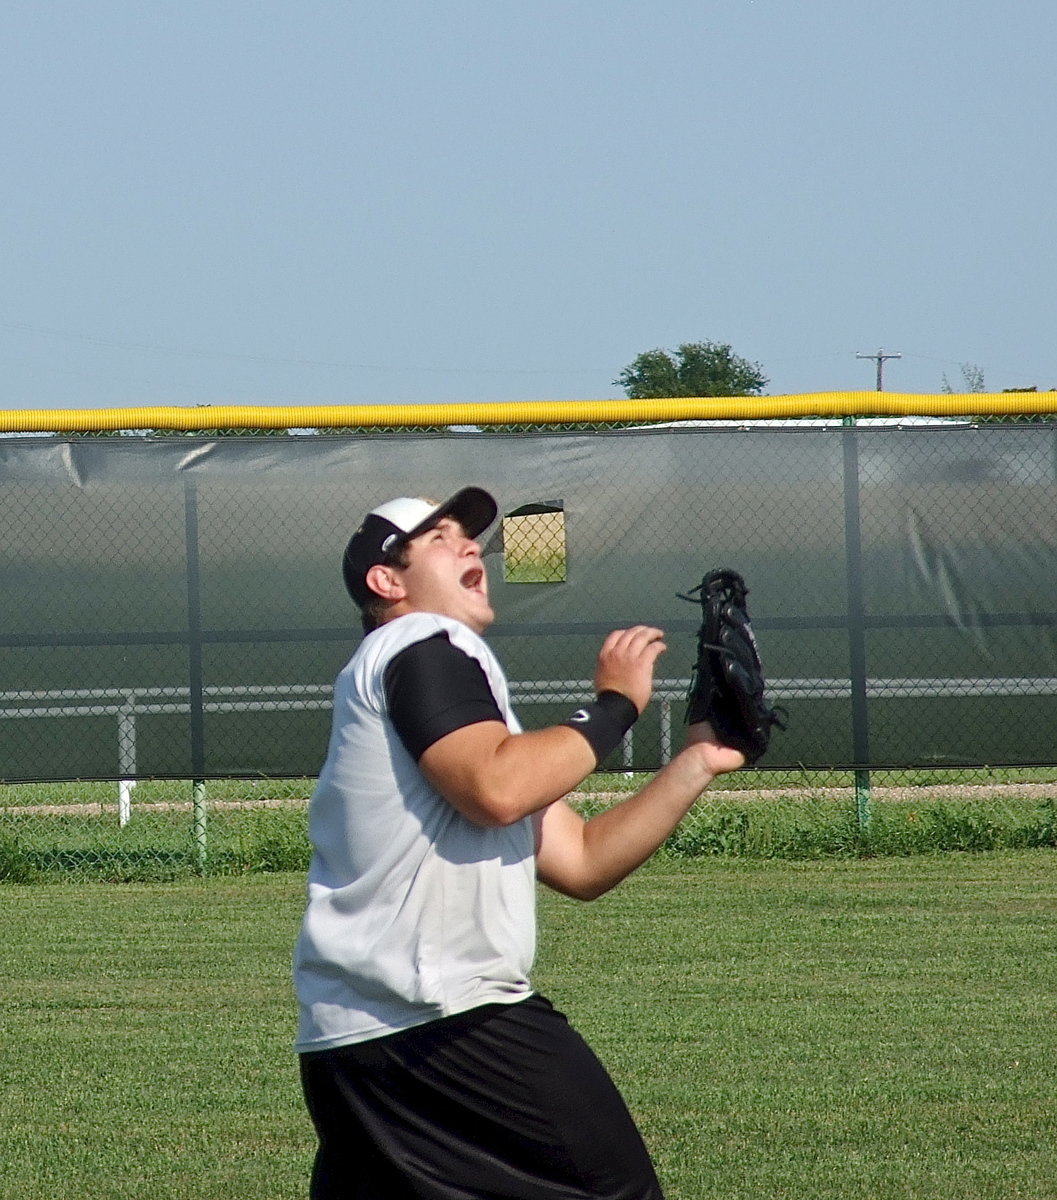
728,686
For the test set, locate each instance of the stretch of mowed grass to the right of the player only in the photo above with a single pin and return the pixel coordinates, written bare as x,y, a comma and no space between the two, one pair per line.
821,1030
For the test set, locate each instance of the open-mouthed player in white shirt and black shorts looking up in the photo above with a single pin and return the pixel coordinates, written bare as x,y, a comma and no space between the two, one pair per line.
430,1066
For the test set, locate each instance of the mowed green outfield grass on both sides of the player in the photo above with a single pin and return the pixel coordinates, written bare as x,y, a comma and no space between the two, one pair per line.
857,1029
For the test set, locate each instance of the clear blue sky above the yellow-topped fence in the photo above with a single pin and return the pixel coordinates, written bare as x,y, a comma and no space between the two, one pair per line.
387,201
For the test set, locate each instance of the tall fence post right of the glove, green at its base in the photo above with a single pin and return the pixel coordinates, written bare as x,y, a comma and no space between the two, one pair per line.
857,622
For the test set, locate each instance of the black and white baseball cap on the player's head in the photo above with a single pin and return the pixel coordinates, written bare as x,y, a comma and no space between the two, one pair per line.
397,523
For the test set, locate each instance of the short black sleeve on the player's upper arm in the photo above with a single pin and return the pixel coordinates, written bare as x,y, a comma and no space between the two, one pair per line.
433,689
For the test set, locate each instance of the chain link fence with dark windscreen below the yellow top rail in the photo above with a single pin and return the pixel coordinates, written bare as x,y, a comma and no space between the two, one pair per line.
175,619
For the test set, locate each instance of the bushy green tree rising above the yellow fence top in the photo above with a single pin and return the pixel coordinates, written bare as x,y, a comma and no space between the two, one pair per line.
695,369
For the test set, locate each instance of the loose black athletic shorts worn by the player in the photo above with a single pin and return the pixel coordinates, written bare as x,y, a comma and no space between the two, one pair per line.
507,1102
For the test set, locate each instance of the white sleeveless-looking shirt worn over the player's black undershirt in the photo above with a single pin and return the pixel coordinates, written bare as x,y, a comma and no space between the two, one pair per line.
415,913
